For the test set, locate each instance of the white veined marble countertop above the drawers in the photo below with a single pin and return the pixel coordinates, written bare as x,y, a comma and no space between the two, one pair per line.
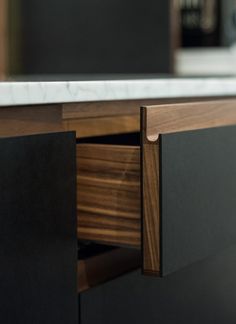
38,92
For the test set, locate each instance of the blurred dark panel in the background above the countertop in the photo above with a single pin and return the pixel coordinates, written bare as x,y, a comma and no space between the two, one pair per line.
94,36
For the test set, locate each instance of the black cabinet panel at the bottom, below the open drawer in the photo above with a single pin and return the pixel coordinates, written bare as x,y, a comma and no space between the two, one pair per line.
204,292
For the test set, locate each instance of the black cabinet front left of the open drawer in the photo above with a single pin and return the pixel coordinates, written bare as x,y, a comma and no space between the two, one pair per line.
38,246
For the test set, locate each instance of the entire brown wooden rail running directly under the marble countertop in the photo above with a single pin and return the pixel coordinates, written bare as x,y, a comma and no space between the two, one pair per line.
87,119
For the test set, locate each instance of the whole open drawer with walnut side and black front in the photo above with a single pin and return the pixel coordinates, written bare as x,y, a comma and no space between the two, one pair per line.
178,201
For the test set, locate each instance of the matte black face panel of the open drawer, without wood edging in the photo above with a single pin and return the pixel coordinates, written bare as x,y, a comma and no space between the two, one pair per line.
198,191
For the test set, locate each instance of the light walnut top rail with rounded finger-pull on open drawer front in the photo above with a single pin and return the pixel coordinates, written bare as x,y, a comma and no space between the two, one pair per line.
162,119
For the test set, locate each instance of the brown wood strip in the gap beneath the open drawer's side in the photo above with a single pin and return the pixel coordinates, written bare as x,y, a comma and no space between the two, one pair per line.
100,268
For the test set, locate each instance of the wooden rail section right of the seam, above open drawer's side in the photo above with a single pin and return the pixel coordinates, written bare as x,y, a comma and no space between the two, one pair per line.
108,117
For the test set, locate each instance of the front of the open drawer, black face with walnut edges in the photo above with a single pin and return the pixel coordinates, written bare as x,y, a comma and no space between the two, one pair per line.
189,184
